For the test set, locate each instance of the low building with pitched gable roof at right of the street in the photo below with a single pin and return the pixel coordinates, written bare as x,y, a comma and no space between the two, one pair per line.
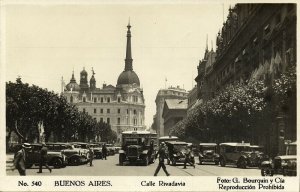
174,111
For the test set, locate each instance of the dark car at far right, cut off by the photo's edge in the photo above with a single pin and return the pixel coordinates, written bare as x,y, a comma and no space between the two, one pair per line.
284,165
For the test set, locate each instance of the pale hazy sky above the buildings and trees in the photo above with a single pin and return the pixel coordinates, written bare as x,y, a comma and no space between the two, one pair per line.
45,42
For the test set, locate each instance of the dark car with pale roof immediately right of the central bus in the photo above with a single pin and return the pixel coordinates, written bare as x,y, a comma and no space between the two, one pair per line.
177,152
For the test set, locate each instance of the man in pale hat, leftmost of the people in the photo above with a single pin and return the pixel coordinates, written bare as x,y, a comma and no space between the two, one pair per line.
20,159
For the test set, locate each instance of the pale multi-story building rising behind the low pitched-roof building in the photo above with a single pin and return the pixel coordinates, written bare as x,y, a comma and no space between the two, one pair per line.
162,95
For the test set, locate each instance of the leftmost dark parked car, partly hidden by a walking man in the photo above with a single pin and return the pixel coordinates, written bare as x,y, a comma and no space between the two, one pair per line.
55,159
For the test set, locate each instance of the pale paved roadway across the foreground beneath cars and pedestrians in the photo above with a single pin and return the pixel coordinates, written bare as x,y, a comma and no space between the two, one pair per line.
110,167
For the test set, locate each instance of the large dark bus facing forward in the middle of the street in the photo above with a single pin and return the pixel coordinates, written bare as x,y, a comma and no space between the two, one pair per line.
136,147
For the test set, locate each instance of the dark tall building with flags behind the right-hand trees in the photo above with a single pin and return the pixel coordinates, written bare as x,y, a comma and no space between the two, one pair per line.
255,37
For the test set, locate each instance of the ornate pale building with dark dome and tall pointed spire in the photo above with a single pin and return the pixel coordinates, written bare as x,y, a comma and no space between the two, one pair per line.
122,106
